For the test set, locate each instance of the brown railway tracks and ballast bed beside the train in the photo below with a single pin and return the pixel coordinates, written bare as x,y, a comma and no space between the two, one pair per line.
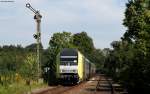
99,84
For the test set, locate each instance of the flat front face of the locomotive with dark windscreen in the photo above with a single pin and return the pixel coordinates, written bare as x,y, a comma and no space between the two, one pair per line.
68,67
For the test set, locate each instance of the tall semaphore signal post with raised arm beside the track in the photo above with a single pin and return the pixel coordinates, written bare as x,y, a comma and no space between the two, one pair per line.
37,36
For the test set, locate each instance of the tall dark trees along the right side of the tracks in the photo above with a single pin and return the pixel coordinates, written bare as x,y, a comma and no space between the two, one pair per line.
128,62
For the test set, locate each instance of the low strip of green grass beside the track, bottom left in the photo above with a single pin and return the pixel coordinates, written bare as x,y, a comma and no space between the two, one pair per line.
19,88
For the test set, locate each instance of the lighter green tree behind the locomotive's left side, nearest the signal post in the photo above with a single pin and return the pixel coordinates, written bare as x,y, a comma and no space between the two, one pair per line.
57,42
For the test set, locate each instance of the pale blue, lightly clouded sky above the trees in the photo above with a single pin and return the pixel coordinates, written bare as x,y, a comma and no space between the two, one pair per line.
101,19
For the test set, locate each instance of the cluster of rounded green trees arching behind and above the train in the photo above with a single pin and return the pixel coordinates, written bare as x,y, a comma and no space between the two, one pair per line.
62,40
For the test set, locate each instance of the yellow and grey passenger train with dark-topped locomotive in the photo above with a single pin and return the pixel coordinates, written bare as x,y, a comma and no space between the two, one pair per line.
73,67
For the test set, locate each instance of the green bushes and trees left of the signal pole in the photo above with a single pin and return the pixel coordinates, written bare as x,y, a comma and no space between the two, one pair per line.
13,62
